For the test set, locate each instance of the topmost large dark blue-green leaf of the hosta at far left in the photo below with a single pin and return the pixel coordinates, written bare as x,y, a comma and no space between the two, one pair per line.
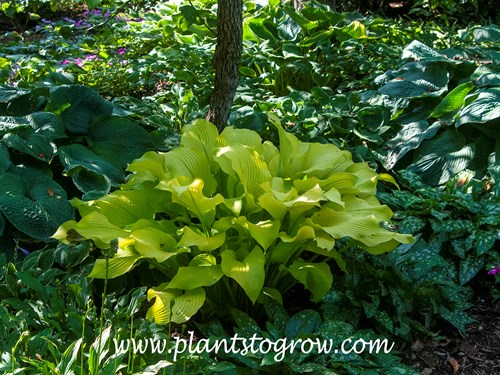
77,106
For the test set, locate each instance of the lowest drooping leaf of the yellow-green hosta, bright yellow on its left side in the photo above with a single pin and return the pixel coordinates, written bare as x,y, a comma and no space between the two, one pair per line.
174,305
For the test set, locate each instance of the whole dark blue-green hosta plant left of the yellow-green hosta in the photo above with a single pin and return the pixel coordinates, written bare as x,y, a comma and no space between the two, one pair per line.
35,152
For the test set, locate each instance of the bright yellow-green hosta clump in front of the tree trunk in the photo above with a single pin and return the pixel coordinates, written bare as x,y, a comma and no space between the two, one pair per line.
227,218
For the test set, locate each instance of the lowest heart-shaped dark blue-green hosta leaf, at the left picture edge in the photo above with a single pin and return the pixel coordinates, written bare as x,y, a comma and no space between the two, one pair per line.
36,208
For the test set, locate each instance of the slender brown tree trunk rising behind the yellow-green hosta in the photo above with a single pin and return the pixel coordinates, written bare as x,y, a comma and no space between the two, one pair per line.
226,60
